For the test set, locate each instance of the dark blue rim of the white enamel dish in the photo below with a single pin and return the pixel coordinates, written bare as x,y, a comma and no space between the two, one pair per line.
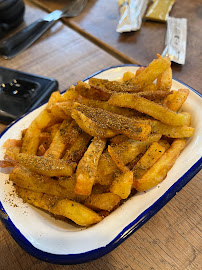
123,235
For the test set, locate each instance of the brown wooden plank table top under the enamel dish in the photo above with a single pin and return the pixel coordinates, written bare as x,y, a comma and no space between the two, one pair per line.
170,239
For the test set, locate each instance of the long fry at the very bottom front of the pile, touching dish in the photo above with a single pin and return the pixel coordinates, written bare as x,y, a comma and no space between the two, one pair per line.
77,212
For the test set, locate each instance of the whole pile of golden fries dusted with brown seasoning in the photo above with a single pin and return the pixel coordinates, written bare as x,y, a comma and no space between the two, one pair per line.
93,146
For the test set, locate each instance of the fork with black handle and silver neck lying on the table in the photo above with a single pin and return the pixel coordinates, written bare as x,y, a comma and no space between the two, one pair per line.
20,41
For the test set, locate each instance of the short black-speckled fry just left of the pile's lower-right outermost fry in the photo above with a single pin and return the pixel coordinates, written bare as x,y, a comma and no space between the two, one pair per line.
153,153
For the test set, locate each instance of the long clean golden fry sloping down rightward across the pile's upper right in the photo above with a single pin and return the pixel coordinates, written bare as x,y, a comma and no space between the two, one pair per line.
149,107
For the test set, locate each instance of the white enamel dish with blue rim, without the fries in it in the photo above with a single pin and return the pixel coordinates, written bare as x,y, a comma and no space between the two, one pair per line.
55,241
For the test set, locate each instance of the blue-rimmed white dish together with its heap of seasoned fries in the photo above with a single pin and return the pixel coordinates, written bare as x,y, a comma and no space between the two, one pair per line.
84,171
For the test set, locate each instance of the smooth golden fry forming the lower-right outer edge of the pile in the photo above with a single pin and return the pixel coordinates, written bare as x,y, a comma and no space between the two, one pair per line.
159,170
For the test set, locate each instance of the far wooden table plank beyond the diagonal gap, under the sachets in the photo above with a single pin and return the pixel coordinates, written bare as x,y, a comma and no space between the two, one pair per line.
99,20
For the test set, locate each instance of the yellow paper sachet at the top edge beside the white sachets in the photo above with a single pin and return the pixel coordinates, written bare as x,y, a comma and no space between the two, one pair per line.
159,10
